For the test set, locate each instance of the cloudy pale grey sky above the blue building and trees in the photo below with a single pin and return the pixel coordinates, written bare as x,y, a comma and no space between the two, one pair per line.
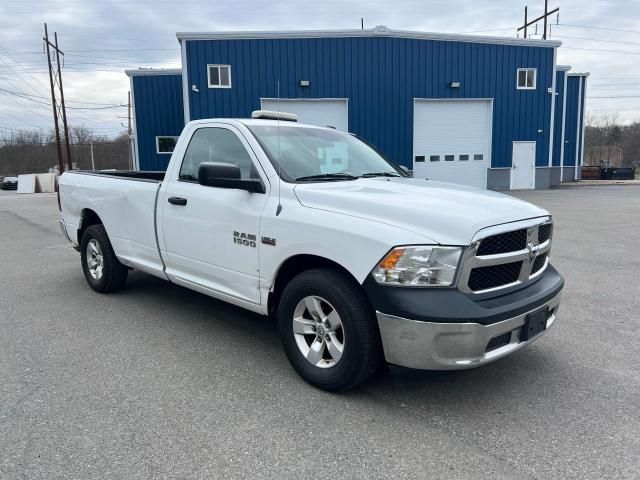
103,38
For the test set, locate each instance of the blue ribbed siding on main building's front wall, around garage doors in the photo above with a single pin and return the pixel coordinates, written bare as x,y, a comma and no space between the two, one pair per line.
381,77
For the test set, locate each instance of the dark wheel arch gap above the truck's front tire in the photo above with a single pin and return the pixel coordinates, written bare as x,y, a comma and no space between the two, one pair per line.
295,265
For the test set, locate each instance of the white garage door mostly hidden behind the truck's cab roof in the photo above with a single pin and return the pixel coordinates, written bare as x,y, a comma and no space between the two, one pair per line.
323,112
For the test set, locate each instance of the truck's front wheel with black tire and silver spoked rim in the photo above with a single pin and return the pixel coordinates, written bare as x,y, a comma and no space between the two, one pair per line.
334,293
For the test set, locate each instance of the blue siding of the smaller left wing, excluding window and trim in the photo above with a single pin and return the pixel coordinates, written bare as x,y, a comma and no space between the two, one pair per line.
159,112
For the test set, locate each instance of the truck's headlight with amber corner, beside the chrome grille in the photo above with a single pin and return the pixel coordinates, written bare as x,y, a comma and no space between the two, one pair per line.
419,266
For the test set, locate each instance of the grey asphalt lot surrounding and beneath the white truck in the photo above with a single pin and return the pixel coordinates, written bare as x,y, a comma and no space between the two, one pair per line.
157,381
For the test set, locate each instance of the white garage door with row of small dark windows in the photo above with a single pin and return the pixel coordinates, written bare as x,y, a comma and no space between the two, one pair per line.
452,140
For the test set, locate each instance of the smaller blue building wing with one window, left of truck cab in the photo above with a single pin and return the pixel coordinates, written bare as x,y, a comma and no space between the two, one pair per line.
156,98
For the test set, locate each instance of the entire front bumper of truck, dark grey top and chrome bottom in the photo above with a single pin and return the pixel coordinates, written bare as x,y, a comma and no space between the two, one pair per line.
446,329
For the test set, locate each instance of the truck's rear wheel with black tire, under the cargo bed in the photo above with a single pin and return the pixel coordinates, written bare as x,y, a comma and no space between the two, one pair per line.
96,247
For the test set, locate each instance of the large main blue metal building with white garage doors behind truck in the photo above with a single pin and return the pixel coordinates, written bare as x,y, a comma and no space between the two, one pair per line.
467,109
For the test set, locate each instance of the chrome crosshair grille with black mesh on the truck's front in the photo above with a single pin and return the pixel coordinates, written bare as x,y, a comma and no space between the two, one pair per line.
508,258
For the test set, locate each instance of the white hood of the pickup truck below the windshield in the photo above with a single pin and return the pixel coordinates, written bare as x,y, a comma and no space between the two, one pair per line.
445,213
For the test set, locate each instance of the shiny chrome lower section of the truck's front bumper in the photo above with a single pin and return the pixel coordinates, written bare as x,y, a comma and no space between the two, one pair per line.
452,346
